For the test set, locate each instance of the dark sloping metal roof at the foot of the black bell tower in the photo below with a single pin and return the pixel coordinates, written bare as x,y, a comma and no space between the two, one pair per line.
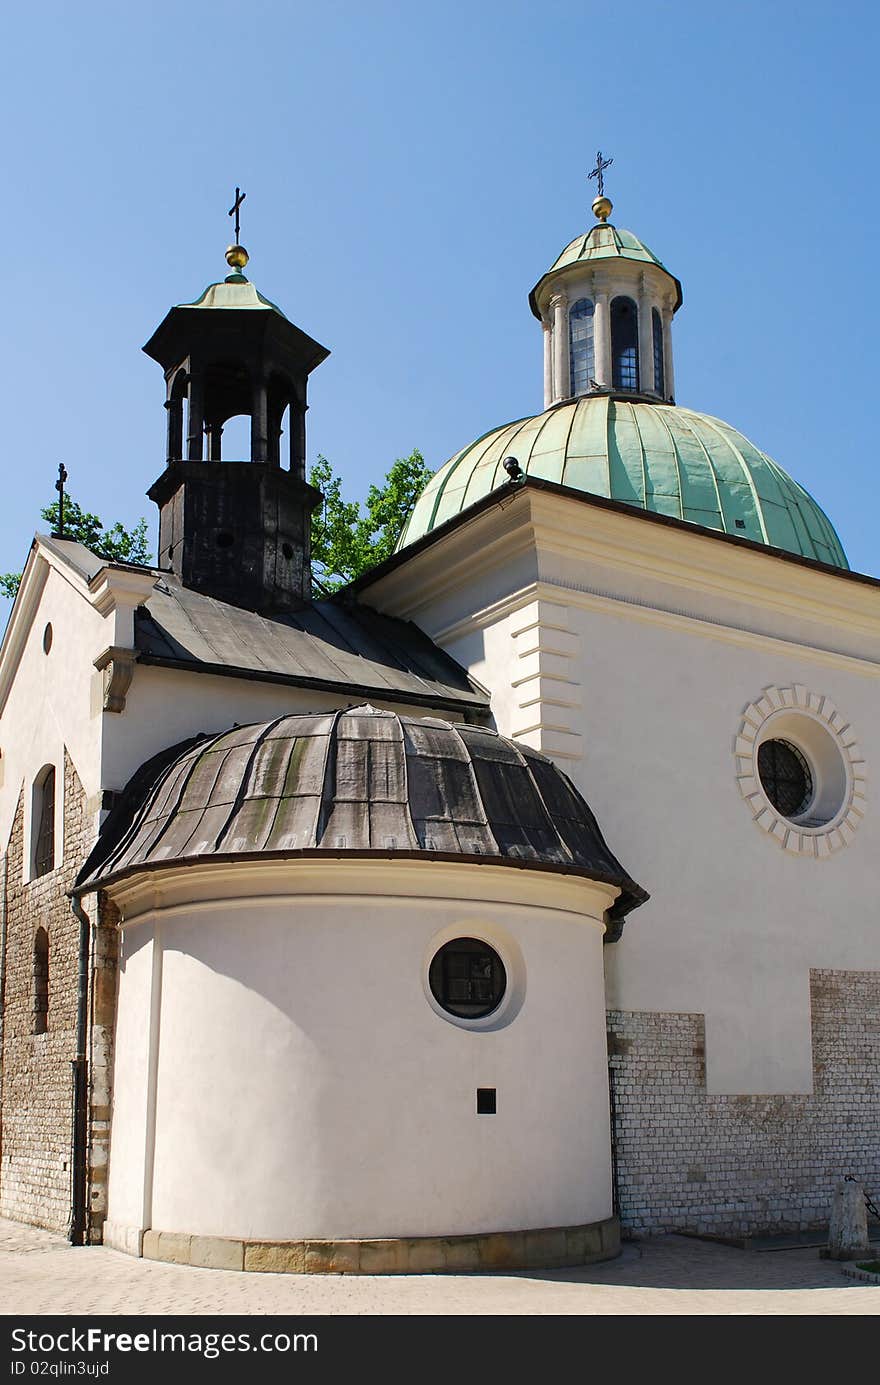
331,646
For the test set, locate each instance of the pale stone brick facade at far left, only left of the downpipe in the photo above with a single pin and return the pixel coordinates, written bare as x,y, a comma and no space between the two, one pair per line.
37,1116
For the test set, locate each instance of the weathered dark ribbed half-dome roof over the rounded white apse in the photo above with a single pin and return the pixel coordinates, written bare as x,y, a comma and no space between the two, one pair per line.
365,783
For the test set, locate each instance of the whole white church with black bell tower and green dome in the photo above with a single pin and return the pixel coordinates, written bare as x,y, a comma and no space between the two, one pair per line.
513,900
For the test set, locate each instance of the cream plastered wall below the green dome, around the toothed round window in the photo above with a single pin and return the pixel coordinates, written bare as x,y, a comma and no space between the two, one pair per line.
631,660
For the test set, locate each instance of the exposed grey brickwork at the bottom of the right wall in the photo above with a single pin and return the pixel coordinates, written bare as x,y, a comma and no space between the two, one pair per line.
745,1165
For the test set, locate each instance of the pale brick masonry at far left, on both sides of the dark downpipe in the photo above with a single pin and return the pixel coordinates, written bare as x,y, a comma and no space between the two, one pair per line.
37,1114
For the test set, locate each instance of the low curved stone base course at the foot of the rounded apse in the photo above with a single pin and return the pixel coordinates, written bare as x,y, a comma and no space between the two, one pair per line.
547,1249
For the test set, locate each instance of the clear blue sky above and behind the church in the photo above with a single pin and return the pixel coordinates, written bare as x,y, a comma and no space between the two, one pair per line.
411,172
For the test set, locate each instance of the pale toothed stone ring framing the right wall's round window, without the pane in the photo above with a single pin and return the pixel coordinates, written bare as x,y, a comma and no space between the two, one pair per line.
800,839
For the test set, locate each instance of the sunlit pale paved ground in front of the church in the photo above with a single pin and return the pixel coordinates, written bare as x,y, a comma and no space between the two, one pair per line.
41,1274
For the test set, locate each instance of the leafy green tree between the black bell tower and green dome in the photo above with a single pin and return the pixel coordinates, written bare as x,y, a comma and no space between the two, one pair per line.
349,541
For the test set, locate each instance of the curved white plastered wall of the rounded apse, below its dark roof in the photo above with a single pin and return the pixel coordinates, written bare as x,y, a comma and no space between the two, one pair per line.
304,1084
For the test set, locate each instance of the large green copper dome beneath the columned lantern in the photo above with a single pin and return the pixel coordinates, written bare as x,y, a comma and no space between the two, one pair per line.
658,458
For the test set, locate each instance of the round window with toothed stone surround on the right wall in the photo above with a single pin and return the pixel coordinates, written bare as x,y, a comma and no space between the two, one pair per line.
800,771
